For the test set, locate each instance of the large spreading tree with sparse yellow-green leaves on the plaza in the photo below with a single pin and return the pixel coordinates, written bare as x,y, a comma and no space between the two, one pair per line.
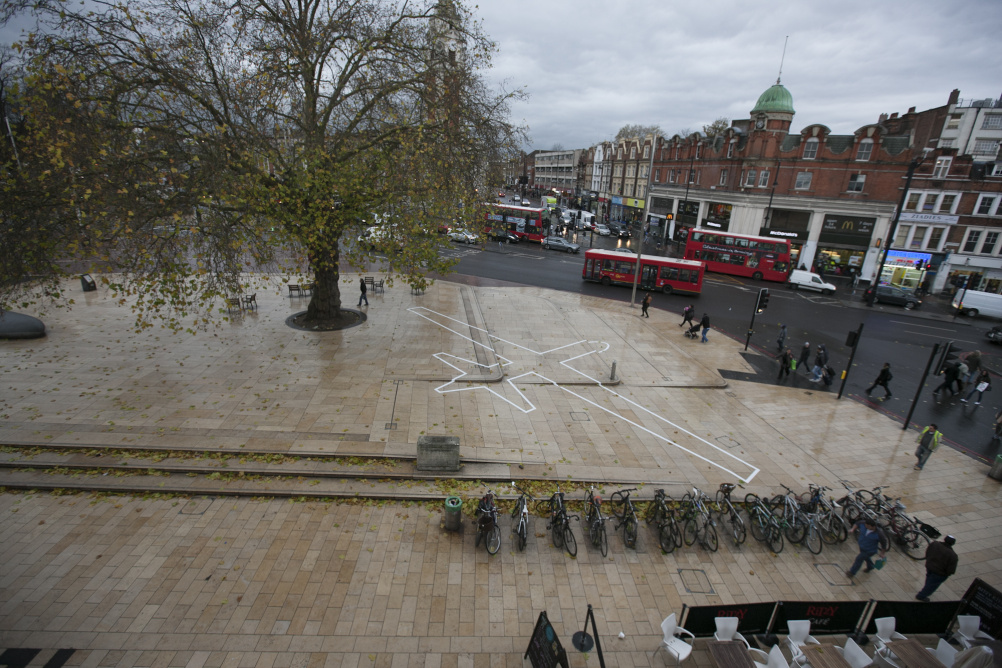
179,145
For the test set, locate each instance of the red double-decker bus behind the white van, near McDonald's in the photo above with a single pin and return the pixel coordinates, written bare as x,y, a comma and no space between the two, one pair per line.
759,258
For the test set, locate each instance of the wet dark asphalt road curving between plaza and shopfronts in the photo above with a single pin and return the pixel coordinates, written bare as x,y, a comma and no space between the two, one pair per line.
904,339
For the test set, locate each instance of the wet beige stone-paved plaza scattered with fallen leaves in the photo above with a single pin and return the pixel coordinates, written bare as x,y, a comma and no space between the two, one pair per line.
535,383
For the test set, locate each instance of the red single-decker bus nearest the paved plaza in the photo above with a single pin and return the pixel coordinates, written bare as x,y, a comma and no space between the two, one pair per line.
657,274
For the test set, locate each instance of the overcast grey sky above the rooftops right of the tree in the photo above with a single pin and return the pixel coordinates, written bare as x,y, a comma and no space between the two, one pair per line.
591,68
